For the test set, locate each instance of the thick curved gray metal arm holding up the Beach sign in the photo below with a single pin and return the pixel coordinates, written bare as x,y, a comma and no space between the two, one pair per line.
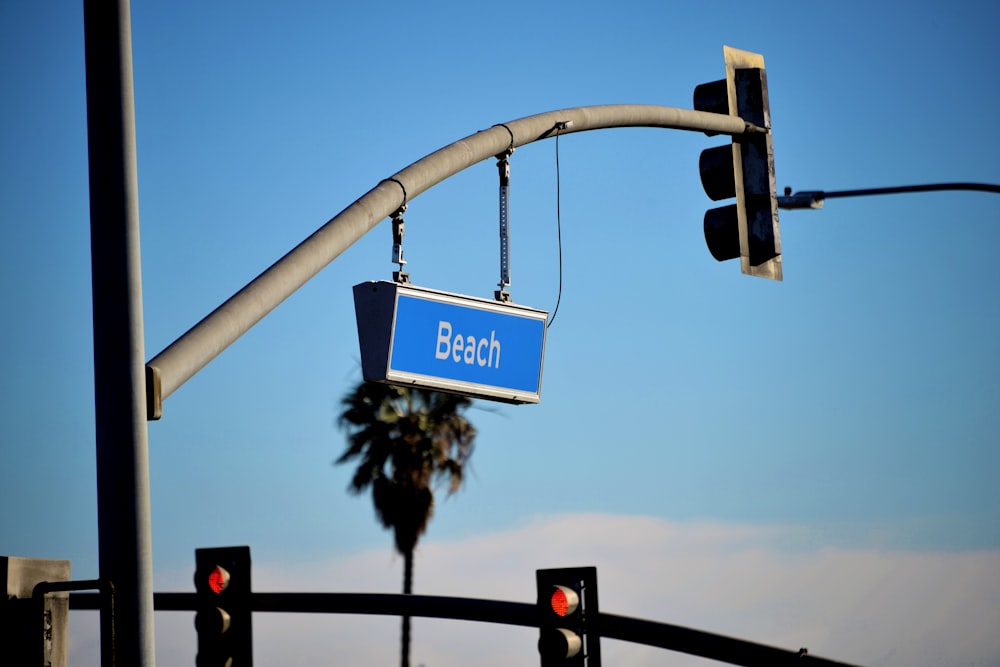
191,352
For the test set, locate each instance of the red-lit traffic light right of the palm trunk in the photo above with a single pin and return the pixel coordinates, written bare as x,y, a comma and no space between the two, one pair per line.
568,617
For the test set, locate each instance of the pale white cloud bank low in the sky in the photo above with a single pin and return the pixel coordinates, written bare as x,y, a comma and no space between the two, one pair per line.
865,606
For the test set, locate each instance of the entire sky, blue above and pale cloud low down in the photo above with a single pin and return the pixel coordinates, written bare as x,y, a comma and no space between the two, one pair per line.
849,414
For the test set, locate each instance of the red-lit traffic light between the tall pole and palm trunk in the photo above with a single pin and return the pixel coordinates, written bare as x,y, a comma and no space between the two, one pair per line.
223,618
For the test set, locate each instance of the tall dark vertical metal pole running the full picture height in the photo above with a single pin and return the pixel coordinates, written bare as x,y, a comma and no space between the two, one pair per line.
124,532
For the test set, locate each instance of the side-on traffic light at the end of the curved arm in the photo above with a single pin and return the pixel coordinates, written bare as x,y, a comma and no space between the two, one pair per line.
747,229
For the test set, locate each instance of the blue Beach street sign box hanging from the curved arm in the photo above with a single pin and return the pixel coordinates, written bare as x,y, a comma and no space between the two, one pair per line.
449,342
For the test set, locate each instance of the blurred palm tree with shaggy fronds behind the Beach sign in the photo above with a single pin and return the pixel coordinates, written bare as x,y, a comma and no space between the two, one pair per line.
406,440
